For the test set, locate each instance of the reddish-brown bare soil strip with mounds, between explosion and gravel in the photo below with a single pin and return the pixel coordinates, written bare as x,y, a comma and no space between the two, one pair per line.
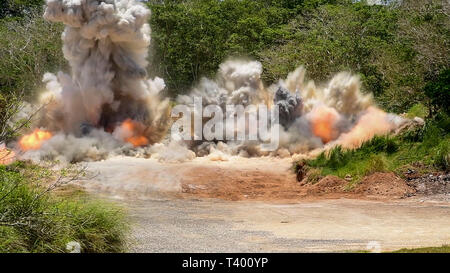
272,185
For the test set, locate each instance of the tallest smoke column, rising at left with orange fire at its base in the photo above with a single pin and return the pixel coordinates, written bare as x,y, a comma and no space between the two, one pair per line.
106,44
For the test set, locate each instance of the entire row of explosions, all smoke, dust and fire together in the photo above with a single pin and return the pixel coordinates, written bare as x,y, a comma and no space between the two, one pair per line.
107,101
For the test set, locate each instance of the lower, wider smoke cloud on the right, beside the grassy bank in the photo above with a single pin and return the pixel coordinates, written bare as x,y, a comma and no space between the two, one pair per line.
310,116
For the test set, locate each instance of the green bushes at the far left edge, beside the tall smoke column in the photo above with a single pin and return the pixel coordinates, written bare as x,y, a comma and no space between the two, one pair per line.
29,47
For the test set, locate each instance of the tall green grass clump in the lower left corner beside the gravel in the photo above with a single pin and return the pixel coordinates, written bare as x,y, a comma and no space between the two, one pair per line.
34,222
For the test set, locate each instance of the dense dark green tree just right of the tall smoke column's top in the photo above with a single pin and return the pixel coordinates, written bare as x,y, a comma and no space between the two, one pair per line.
191,38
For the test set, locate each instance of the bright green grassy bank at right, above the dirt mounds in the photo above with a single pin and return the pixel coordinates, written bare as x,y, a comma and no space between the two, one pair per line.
427,147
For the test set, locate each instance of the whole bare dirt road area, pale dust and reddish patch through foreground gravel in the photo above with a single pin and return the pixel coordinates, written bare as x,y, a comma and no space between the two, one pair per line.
168,215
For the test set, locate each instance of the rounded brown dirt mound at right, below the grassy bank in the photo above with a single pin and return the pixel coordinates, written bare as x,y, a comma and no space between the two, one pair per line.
384,185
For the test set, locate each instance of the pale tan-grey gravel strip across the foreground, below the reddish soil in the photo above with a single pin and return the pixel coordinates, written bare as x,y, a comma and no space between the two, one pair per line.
167,225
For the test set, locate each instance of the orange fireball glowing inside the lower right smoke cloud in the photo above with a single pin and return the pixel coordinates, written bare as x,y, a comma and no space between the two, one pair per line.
322,120
